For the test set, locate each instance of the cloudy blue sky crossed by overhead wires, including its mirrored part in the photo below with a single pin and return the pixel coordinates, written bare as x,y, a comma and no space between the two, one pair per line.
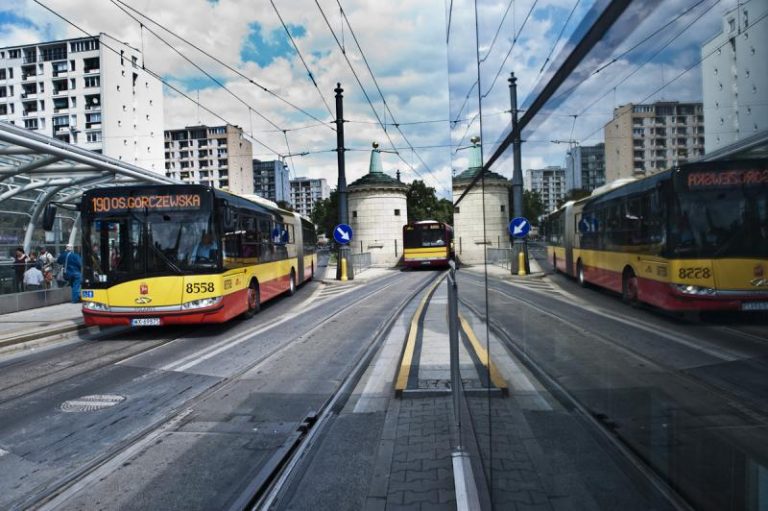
427,73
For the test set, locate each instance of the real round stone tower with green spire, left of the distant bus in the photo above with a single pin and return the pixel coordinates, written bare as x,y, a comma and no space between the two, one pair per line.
378,210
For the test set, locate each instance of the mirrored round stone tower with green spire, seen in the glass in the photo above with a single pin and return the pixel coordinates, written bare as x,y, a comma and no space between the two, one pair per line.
469,239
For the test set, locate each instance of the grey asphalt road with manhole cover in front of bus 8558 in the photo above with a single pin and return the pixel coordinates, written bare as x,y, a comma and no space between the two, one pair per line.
195,414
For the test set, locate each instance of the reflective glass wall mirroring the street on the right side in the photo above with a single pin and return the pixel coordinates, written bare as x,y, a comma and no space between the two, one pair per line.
615,375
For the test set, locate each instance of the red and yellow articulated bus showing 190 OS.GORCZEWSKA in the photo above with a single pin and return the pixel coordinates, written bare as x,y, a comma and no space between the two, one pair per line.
179,254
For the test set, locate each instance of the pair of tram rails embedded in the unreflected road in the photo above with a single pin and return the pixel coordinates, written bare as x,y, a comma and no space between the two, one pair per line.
56,493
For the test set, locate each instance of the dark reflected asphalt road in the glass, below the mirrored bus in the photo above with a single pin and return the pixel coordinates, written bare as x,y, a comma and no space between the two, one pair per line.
688,398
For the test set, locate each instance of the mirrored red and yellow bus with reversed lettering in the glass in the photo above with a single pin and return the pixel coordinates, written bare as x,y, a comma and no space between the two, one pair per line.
690,238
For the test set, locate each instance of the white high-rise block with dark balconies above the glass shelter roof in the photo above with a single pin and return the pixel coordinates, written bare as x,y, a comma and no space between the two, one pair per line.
90,92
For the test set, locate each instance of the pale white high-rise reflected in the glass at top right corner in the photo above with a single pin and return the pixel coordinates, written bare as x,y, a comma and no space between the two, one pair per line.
735,77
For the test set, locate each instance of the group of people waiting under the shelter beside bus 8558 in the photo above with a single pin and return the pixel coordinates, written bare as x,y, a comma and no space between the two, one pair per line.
39,270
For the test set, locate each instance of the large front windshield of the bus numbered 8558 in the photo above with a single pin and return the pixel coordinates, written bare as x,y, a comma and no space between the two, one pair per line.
129,245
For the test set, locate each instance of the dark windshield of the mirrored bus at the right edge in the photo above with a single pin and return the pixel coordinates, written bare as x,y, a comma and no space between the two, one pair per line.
727,223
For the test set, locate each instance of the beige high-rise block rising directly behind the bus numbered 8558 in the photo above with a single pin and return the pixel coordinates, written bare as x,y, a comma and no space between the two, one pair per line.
217,156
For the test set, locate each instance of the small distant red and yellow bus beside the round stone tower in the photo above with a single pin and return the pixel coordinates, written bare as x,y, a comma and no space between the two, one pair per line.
427,243
